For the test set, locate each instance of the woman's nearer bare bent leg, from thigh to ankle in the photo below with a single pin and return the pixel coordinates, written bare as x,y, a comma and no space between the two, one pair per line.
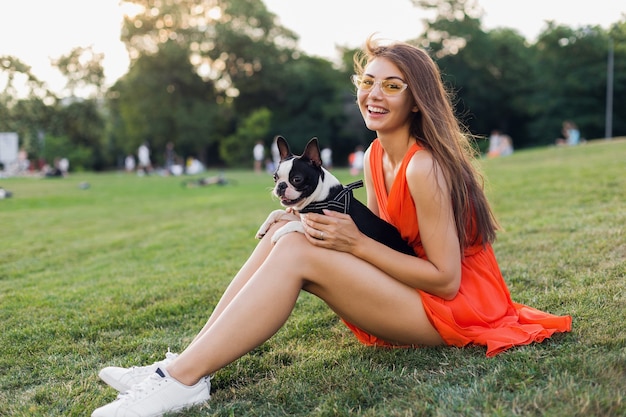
354,289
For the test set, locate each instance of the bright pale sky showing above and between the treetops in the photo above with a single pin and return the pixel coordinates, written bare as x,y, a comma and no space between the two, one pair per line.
39,30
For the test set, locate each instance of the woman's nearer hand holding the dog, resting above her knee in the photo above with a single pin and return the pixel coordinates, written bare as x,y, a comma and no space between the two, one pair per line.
332,230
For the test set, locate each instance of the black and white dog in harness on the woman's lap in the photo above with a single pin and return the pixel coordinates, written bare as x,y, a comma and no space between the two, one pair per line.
304,185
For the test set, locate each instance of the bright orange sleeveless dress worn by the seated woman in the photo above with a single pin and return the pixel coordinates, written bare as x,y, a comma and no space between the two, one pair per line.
482,313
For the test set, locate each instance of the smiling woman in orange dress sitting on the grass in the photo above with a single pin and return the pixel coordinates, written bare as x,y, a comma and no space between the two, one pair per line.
419,176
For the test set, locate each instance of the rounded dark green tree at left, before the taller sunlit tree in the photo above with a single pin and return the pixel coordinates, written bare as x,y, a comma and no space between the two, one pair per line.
163,99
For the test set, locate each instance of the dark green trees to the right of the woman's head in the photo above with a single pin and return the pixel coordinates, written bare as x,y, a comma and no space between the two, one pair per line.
501,81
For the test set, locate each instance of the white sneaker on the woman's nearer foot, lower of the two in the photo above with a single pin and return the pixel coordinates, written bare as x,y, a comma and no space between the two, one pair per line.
156,395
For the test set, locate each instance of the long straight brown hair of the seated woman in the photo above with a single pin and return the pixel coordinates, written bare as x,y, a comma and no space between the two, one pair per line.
436,127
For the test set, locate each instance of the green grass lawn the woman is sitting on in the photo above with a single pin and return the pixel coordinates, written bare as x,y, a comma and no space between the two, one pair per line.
119,272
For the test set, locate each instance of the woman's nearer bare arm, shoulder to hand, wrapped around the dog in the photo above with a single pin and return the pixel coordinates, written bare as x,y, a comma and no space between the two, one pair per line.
440,274
